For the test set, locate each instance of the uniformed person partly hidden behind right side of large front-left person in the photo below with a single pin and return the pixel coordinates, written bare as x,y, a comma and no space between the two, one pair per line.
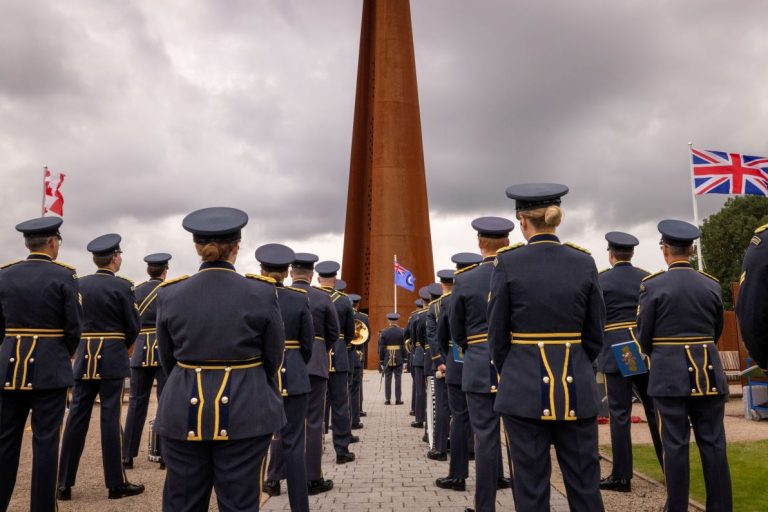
287,459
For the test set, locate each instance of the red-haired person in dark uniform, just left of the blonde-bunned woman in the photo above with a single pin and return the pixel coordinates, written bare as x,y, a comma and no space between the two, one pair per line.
469,327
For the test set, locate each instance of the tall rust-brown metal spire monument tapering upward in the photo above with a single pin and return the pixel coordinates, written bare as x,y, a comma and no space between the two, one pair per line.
387,208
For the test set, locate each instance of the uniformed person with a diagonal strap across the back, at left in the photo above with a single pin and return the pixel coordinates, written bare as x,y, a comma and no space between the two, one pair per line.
145,361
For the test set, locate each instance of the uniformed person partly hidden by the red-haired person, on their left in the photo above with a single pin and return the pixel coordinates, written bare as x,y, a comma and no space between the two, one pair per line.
460,431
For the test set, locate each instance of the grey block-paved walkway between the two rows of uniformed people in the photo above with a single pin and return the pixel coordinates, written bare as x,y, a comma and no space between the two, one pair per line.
392,472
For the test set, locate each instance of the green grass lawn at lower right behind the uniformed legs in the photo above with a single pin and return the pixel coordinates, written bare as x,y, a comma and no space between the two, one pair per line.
749,469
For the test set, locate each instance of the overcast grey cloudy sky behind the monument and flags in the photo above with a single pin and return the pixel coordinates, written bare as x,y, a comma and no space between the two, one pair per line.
154,109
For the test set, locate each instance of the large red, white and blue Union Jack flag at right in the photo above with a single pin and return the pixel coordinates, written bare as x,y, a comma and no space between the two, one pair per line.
718,172
